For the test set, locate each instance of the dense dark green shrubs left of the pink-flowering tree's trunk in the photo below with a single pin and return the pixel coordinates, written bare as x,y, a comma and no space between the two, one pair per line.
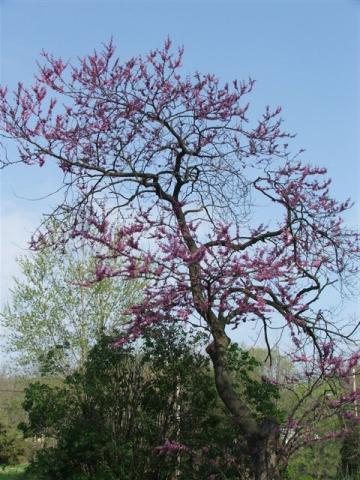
112,419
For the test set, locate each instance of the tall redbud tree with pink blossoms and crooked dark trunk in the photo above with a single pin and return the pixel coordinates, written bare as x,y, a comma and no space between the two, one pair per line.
167,172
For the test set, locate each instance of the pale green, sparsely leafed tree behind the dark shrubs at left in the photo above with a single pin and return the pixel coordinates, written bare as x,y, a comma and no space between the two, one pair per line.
54,318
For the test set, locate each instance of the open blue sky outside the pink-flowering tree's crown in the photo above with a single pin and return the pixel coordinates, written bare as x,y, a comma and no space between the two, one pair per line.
303,54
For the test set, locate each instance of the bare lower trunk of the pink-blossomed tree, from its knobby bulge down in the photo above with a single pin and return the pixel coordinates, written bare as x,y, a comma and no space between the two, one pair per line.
262,437
